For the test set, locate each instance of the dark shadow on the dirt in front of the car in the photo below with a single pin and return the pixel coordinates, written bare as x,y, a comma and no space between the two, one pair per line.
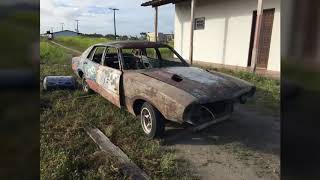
258,132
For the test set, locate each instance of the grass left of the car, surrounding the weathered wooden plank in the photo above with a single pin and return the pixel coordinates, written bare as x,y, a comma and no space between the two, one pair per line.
66,152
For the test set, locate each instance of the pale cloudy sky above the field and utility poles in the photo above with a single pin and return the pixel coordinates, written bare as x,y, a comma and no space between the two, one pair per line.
95,16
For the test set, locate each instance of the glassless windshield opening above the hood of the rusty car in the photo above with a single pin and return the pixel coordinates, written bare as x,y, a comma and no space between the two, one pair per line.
147,58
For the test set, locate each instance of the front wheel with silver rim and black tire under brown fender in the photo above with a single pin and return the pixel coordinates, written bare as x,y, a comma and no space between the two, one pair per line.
150,116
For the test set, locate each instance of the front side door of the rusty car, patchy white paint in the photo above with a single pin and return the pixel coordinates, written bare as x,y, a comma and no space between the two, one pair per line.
108,76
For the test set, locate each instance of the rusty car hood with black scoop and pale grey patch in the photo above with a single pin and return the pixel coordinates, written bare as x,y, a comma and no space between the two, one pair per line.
200,83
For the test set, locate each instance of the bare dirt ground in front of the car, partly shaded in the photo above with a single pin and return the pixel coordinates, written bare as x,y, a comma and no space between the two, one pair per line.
247,146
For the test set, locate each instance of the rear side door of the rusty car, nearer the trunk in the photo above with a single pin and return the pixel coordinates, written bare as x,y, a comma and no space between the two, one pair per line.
91,66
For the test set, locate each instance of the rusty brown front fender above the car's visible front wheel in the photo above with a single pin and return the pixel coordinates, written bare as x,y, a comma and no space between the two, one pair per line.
169,100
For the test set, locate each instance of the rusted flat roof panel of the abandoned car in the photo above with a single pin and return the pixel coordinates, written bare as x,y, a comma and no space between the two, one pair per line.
133,44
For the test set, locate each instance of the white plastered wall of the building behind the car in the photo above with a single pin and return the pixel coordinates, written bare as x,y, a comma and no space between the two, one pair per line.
226,36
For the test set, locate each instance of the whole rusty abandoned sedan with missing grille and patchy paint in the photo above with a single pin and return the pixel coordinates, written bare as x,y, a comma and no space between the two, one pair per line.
152,81
